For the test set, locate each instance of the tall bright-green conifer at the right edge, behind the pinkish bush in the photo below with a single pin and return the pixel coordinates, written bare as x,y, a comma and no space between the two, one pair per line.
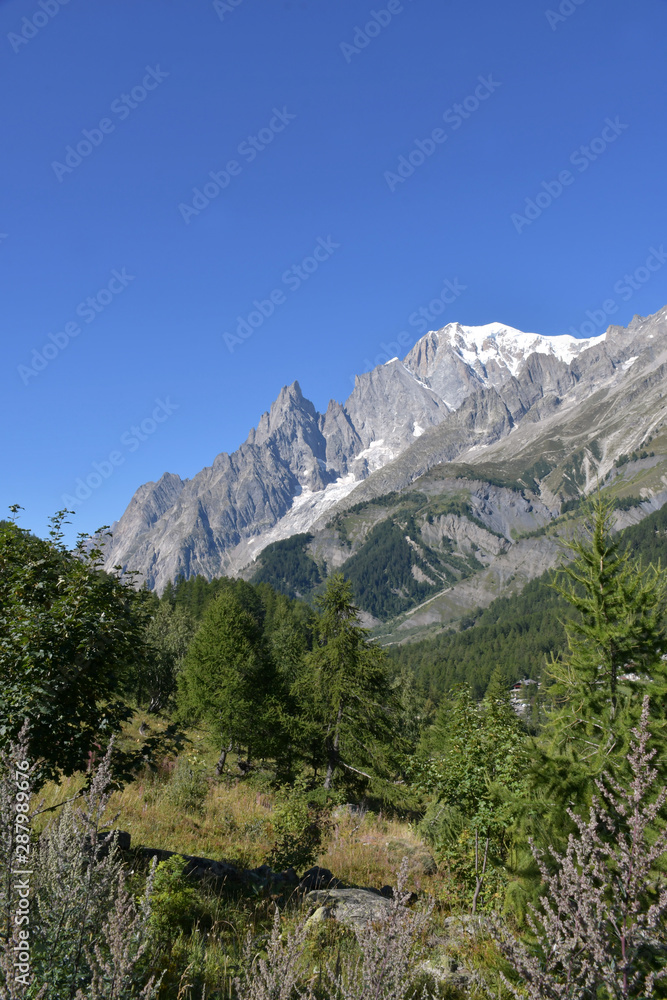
613,658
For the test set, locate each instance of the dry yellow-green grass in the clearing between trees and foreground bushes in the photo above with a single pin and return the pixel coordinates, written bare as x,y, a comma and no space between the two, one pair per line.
203,927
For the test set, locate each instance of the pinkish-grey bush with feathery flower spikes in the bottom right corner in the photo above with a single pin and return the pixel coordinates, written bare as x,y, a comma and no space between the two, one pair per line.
601,929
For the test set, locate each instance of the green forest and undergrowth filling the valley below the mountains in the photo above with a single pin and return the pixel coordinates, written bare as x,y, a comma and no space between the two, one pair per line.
296,707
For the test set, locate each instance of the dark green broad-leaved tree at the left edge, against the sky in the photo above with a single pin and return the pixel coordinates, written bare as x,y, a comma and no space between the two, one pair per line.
71,641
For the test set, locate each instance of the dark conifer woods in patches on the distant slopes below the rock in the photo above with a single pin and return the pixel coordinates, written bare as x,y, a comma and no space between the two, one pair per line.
515,634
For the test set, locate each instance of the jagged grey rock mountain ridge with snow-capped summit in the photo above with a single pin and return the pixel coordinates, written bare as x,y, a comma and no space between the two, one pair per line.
458,391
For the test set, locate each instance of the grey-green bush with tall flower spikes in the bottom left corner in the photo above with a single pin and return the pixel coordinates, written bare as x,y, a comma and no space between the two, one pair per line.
87,933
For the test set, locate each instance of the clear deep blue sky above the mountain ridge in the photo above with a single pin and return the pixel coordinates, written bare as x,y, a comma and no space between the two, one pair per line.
365,155
